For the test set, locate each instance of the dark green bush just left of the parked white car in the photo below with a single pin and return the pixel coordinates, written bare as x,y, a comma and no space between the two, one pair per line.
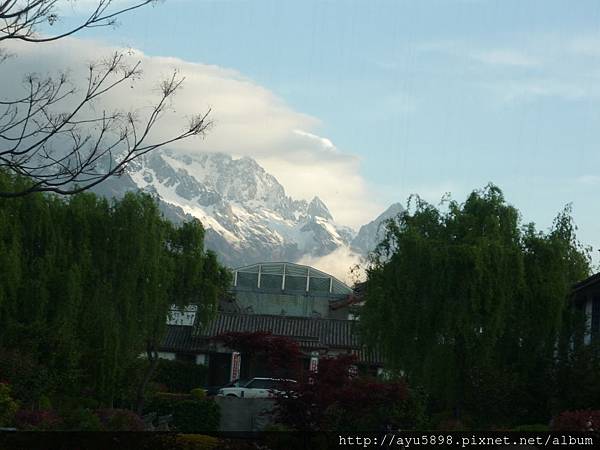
180,376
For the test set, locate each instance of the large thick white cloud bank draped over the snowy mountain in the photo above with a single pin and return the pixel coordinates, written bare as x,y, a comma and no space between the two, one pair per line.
249,120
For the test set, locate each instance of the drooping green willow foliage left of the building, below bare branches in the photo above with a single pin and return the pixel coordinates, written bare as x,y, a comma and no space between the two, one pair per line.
86,286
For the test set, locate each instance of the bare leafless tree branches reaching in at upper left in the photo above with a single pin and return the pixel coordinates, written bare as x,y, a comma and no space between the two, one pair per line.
67,152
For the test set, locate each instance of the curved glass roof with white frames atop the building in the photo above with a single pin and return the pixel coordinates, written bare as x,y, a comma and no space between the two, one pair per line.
288,277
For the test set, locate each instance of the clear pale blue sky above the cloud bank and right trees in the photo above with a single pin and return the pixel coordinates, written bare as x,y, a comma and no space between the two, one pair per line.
431,96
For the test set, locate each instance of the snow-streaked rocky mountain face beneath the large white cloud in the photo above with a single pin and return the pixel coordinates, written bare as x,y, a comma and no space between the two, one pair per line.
246,212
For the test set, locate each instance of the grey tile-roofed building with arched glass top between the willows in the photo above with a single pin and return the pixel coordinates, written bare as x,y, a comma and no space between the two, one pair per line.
287,300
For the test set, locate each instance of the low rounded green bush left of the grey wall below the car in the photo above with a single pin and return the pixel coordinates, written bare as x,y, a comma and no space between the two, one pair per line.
196,416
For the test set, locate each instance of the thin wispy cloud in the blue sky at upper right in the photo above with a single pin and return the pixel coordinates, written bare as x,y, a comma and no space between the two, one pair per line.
533,67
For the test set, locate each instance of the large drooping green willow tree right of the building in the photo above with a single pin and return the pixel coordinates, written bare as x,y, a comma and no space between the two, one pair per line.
468,303
